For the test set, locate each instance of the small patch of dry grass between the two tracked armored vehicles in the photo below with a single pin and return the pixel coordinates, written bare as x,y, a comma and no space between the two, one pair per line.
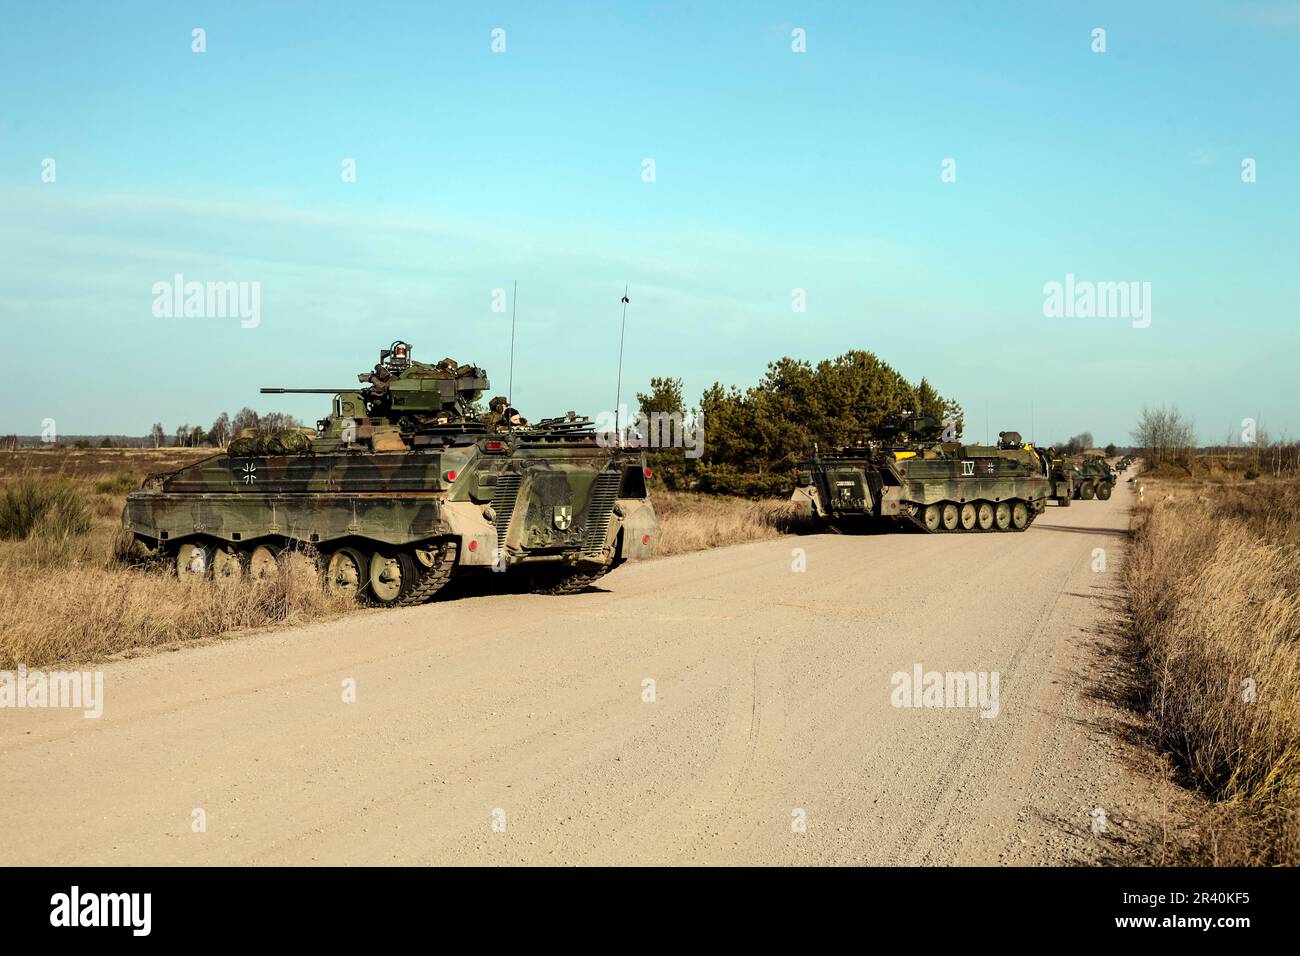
696,522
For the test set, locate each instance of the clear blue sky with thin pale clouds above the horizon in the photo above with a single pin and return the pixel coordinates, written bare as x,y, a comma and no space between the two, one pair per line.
774,171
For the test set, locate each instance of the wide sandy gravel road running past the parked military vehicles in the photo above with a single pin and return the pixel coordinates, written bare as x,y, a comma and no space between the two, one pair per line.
772,736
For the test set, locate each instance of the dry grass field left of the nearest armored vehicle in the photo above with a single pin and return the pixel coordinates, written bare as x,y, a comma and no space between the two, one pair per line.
75,589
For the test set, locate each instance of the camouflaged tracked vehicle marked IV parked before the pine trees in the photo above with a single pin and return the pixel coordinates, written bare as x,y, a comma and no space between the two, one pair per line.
904,474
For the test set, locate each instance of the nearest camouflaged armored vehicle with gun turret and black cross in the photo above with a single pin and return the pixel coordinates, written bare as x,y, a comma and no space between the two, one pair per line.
402,486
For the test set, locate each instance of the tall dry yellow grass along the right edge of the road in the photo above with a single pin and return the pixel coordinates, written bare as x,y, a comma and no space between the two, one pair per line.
1215,582
